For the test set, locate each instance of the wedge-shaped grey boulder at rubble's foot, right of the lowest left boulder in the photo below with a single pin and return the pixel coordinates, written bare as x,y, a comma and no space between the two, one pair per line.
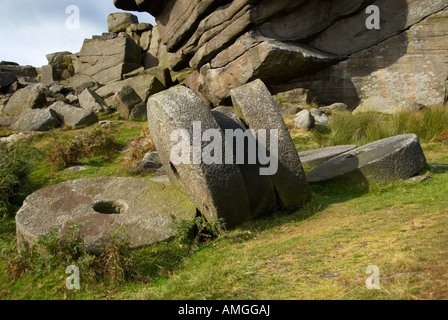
73,116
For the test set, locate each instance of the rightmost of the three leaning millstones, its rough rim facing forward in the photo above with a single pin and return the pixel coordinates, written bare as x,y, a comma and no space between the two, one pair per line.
254,104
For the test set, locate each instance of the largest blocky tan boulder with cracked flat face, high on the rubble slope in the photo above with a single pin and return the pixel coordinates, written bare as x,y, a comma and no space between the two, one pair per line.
107,60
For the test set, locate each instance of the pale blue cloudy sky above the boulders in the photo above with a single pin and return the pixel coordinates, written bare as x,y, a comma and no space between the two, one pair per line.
30,29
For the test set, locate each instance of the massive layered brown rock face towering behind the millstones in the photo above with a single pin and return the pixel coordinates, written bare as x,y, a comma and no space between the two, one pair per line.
322,45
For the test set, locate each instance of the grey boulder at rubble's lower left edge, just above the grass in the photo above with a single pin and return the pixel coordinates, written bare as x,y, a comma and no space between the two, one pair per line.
36,120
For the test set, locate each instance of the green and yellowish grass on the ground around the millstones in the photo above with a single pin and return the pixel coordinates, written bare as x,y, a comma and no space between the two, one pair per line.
319,252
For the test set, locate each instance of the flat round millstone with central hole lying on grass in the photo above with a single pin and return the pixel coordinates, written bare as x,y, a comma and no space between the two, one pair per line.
142,209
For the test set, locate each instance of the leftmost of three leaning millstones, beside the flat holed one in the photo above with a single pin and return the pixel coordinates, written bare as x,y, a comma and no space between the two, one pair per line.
217,189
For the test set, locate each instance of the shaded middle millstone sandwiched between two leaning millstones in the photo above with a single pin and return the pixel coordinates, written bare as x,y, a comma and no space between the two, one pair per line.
260,189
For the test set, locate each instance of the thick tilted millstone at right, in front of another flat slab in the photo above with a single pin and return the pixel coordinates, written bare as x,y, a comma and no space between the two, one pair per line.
386,160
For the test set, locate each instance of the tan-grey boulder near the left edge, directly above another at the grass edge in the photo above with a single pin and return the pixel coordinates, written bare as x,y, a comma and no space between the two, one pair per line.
31,97
